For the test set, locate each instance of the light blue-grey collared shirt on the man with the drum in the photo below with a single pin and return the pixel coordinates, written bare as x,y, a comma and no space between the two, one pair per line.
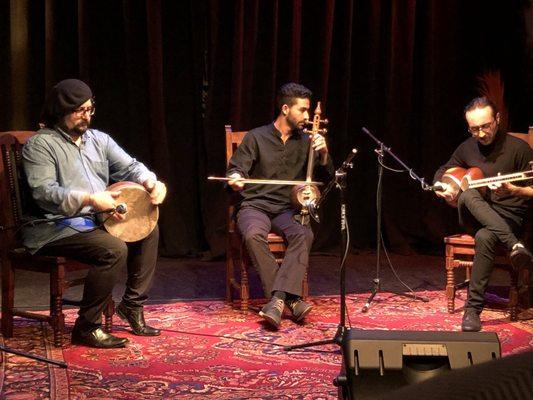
59,174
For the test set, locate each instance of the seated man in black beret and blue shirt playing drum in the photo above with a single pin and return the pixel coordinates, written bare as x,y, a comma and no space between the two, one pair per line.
68,167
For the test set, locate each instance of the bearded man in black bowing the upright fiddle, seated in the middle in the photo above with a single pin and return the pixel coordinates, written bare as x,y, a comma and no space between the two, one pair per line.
278,151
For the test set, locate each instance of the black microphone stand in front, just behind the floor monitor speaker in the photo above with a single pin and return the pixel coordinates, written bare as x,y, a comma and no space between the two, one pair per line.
340,183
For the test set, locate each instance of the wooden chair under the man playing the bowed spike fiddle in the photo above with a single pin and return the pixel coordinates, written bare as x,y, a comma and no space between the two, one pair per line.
236,253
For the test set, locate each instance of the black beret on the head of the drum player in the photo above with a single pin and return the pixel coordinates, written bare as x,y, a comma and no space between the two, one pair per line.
64,98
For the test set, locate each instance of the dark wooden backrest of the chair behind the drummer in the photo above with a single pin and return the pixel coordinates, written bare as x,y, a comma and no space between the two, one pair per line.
14,198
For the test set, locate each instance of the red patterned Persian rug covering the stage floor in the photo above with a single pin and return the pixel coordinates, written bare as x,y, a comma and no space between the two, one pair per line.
208,350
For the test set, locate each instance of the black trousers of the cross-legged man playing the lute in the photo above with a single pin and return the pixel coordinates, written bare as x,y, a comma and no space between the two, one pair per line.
490,224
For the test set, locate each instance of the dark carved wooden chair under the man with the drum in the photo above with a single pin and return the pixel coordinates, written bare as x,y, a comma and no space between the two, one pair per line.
15,200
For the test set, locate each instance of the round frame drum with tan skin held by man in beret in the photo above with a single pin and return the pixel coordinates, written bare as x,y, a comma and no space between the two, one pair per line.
141,215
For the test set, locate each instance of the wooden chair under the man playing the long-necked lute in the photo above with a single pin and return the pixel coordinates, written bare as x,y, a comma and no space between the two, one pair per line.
460,254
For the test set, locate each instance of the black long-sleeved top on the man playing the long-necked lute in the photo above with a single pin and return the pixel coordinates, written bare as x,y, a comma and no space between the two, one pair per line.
505,155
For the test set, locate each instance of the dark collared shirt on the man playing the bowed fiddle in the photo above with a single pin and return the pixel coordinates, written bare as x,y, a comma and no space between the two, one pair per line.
263,155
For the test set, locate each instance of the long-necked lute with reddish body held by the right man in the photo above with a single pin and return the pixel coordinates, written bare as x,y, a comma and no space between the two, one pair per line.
461,179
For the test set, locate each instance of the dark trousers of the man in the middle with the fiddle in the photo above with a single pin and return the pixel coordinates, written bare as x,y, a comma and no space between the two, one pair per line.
254,226
